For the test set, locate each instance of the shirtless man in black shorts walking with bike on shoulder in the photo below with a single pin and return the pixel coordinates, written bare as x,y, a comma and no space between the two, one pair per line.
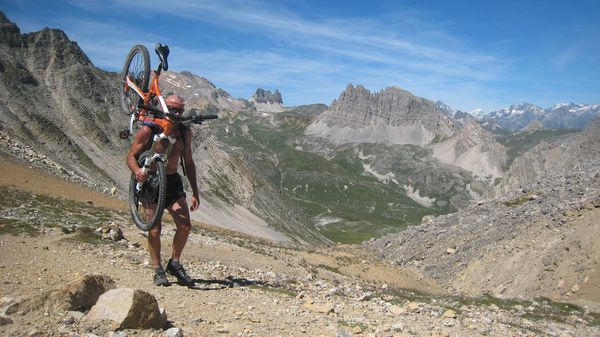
175,199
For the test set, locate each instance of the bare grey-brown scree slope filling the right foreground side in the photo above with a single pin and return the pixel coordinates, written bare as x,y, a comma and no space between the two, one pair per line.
535,239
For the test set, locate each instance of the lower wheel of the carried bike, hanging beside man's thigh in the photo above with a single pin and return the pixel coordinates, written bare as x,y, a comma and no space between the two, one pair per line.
148,204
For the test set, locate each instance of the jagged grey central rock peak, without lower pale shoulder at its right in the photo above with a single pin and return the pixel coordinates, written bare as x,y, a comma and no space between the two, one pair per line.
391,116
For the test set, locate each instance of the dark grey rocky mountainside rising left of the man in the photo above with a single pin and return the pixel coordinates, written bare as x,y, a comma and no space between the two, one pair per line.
54,100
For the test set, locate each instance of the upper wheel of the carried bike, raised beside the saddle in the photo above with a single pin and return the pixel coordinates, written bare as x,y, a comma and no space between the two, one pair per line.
137,68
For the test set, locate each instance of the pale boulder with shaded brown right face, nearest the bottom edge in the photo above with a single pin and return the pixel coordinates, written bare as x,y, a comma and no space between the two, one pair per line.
128,308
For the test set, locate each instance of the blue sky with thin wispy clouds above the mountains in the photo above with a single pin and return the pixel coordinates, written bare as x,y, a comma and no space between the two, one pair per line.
468,54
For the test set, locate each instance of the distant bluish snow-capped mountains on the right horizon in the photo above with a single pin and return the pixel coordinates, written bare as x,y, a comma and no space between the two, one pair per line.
560,116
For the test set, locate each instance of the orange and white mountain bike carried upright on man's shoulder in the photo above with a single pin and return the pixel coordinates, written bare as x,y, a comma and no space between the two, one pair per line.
146,106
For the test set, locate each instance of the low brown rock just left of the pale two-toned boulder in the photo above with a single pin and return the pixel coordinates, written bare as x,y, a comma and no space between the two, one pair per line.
81,294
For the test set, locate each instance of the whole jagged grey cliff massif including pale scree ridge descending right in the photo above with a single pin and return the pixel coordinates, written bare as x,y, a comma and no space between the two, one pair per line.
395,116
